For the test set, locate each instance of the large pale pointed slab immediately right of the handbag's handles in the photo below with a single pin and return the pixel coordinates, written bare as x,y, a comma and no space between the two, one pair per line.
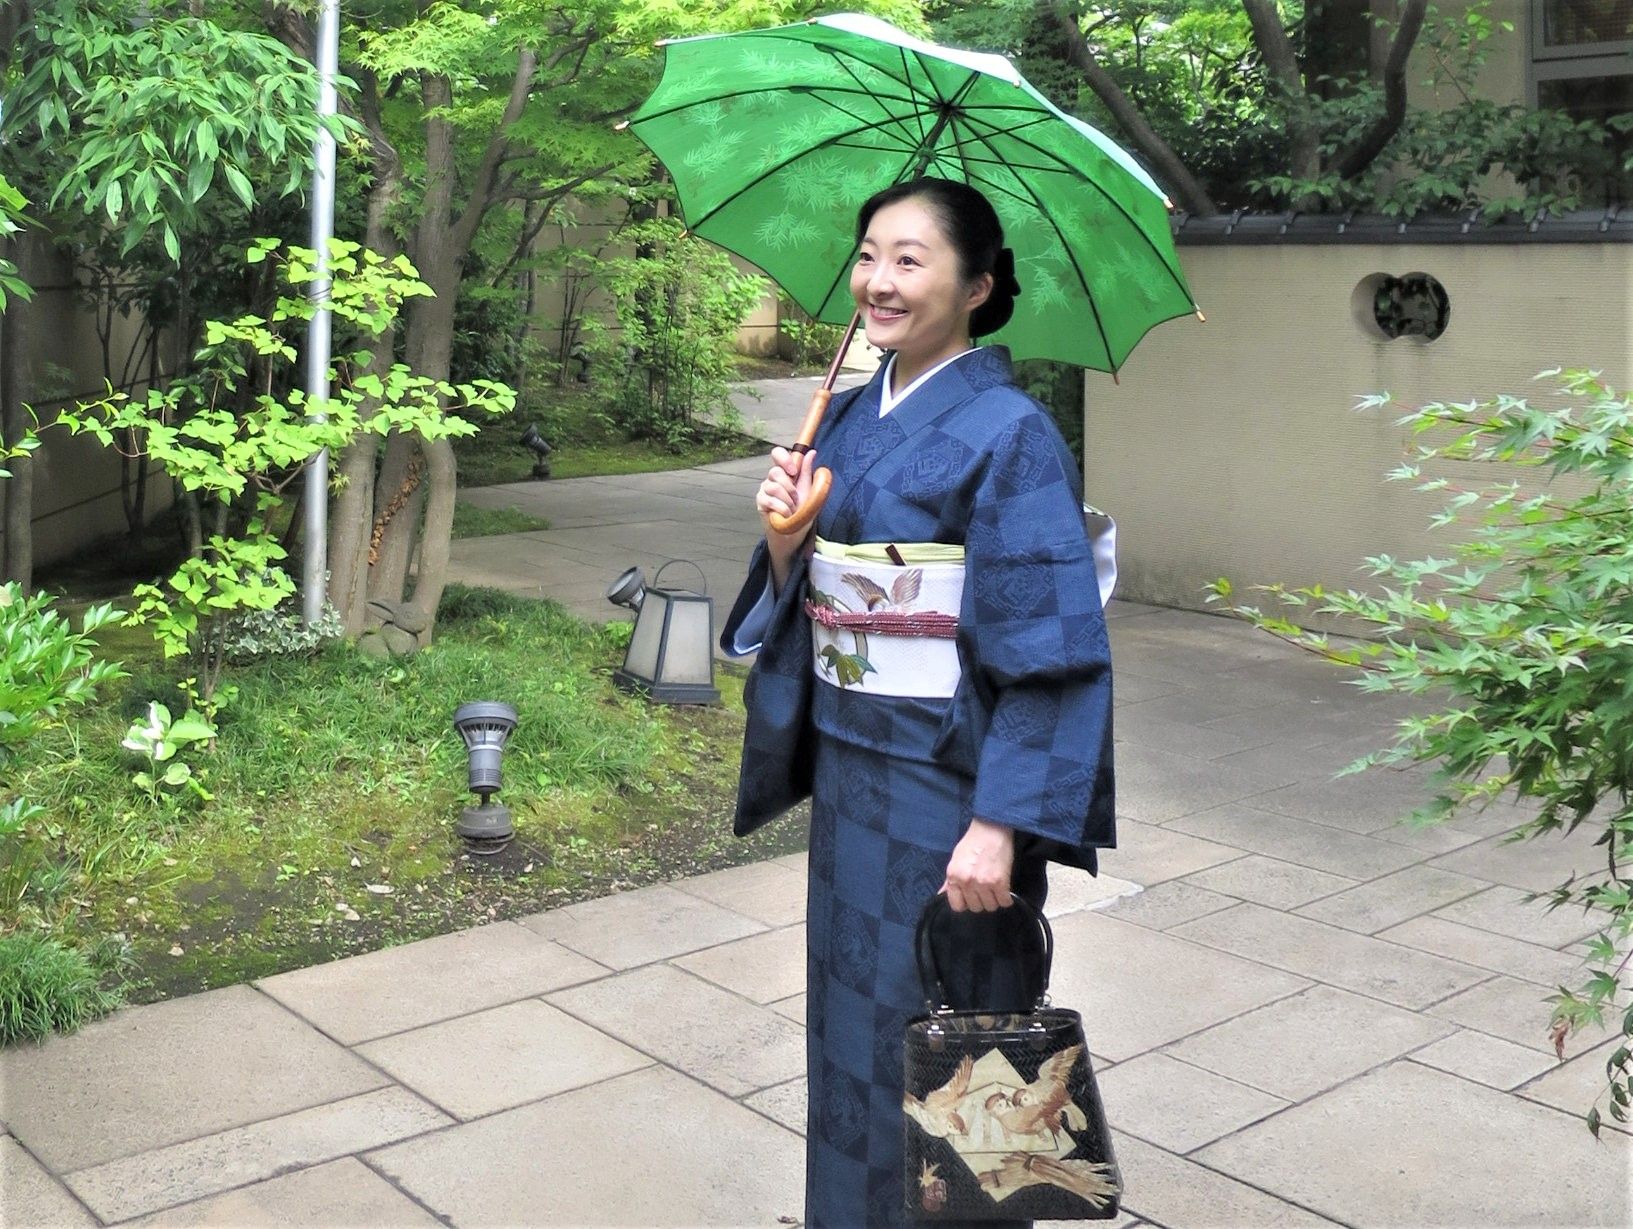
1141,990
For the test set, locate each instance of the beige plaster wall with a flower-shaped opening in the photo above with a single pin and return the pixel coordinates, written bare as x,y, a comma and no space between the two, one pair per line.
1232,448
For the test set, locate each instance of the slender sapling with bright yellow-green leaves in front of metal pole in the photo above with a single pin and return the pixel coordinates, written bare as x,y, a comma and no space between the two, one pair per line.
251,458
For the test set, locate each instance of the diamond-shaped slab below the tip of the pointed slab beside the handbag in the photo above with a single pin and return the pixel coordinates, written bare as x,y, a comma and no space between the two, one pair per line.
1309,1044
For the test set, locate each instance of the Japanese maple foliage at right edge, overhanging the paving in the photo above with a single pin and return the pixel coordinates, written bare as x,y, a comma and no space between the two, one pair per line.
1521,642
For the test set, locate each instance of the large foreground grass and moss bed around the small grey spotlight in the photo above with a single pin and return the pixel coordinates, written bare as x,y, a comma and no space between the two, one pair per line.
336,783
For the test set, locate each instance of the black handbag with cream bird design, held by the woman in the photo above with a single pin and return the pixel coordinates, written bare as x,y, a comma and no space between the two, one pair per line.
1003,1117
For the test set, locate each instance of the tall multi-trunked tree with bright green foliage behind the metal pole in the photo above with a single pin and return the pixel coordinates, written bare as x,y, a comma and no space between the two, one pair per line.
481,118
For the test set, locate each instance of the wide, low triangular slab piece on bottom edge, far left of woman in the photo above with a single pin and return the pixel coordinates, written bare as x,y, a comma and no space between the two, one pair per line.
340,1194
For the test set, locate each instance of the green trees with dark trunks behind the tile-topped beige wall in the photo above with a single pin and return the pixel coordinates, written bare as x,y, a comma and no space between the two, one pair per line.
1288,104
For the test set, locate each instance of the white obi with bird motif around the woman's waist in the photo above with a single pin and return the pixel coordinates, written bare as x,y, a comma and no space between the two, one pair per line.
897,657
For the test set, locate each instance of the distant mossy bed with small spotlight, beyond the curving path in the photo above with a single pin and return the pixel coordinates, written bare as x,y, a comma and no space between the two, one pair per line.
587,443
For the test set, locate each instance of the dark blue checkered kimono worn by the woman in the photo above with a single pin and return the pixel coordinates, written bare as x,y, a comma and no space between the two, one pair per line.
1025,742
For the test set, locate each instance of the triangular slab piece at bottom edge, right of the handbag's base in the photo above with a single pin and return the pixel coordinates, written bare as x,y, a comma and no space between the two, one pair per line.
1175,1192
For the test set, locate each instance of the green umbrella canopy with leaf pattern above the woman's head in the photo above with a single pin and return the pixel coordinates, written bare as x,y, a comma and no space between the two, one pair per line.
776,136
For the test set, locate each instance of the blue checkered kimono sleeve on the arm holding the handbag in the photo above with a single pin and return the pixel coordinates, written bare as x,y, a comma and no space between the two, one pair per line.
1036,637
